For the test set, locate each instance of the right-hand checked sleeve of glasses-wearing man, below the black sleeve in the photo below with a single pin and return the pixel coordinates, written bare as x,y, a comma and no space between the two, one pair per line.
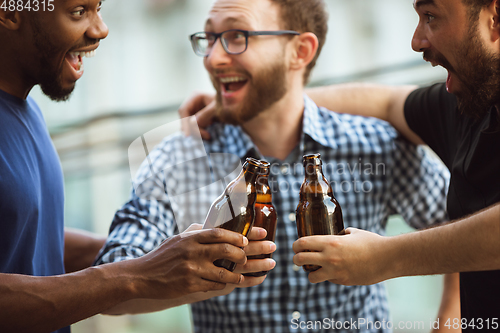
419,185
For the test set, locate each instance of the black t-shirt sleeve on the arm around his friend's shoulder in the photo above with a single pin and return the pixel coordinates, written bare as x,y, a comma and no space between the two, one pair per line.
431,113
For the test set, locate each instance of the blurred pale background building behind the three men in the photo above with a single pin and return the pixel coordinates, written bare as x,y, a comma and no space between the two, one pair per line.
146,68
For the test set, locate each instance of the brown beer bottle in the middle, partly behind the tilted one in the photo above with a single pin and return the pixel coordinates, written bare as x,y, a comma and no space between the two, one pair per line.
265,213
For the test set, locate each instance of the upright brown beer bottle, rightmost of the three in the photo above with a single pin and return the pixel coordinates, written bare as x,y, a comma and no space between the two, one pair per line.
318,212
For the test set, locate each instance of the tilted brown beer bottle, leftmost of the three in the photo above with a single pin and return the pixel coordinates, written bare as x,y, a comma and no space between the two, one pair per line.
234,208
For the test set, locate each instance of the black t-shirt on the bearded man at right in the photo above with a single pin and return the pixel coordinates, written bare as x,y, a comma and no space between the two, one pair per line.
470,148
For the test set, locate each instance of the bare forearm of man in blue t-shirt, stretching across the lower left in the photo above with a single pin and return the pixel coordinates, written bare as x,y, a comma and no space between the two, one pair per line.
44,304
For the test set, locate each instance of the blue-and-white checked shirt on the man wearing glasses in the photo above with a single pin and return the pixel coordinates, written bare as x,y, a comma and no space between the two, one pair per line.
373,173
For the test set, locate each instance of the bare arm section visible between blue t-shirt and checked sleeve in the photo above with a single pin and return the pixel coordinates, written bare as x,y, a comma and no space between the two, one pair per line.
80,249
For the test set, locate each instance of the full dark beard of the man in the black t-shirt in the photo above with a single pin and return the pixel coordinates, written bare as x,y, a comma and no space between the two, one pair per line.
479,72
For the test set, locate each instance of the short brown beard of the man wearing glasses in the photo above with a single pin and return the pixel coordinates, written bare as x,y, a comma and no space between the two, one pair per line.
266,88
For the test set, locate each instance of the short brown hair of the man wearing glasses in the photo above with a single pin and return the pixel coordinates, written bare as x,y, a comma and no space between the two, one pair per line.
305,16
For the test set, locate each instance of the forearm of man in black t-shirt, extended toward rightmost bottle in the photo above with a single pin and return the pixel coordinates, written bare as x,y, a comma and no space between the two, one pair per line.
470,244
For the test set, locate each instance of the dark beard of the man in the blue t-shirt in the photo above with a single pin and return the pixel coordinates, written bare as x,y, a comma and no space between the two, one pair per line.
50,78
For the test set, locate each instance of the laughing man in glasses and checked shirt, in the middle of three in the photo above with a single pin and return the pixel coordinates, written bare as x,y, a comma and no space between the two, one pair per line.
259,71
